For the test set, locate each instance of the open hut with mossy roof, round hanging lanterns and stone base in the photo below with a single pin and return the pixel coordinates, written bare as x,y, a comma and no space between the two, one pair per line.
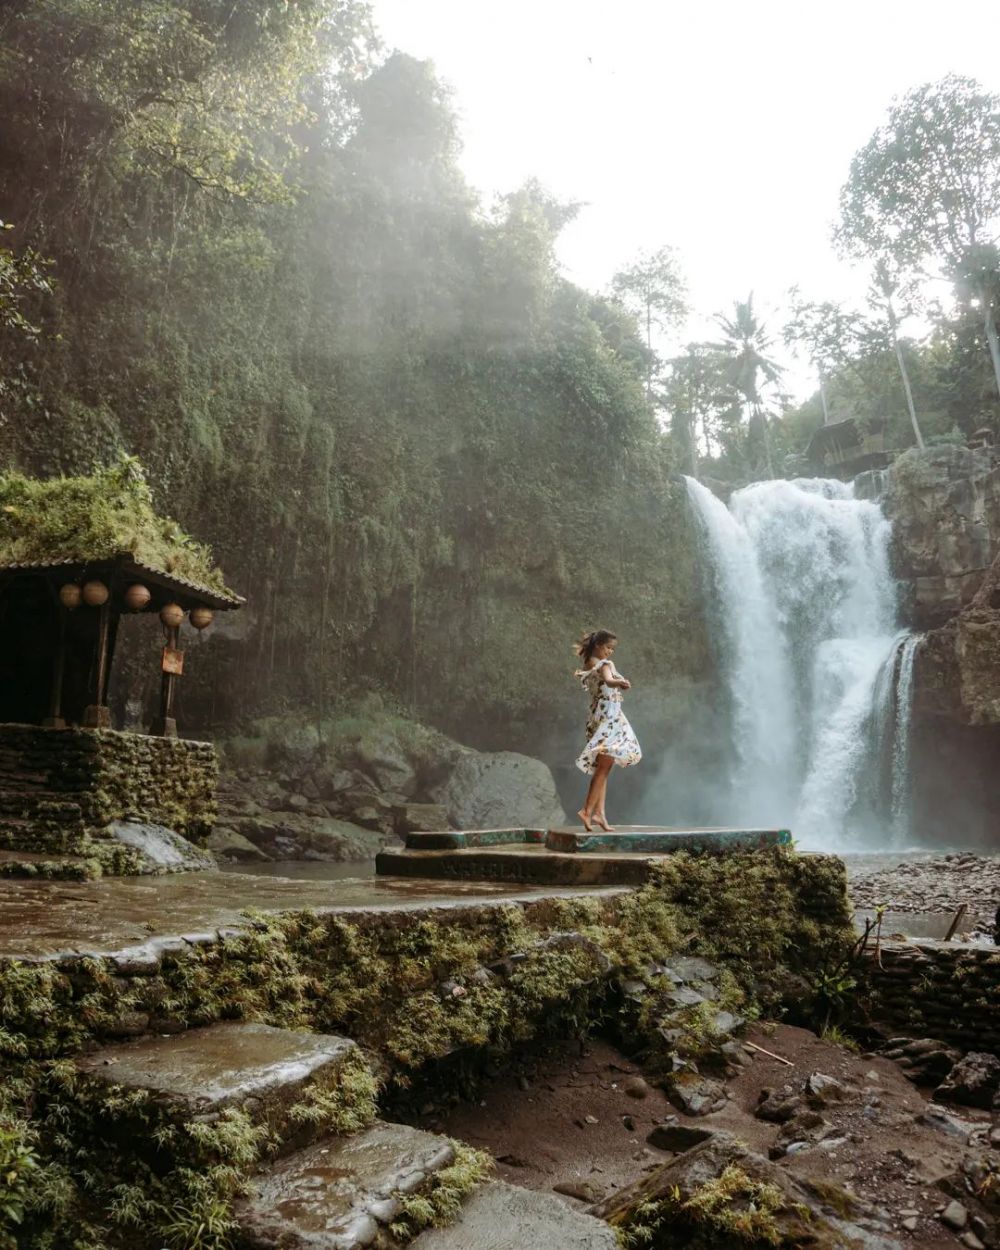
78,556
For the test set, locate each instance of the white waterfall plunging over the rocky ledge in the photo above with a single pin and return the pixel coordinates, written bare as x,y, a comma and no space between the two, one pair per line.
817,671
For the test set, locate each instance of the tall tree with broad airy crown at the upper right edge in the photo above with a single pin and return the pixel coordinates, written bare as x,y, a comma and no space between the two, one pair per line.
927,187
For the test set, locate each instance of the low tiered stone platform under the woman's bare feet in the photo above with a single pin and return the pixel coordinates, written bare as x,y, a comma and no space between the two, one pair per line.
562,857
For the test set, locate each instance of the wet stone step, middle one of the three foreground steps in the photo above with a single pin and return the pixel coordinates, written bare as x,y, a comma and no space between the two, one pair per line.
343,1193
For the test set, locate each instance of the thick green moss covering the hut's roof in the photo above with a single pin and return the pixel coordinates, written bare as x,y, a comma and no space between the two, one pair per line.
96,518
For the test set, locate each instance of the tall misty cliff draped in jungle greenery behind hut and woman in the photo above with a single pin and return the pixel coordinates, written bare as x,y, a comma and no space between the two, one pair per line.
426,459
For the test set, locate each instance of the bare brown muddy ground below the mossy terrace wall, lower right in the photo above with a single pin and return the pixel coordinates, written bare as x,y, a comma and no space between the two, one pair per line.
576,1121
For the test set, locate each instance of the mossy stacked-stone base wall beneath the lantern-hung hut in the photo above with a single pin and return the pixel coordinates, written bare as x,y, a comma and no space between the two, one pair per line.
61,788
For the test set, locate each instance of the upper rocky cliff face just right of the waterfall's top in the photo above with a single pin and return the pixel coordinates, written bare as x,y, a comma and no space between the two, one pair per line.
944,504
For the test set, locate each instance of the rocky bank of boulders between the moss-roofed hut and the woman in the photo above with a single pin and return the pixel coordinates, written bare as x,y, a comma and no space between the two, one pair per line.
346,789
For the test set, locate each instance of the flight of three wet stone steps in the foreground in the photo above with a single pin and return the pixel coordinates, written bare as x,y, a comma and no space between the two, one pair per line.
323,1173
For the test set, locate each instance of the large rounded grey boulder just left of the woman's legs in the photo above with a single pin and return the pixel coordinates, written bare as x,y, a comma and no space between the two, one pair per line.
499,791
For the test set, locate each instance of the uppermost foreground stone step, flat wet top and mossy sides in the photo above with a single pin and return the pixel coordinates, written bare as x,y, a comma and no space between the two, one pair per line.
293,1086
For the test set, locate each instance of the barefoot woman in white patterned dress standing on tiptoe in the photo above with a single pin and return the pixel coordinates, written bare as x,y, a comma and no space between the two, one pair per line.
611,738
